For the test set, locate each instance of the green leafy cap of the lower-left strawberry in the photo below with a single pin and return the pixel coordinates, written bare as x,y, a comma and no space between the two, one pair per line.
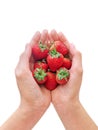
40,74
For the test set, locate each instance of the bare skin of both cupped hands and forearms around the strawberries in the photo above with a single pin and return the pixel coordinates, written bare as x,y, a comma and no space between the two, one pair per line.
35,100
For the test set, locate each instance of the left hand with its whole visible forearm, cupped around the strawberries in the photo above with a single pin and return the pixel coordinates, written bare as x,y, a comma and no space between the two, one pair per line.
34,99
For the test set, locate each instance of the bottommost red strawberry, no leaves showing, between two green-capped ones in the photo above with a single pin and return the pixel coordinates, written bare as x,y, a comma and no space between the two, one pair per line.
51,83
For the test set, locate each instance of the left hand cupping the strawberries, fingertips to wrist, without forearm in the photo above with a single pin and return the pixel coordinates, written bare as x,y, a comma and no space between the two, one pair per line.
33,97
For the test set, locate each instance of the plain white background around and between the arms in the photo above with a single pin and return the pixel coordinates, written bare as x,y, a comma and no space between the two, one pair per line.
20,19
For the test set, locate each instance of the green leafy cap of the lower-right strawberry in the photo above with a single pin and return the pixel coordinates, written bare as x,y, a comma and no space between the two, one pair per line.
63,74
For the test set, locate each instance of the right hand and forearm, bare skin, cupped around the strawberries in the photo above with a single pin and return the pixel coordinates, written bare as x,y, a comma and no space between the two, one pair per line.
66,98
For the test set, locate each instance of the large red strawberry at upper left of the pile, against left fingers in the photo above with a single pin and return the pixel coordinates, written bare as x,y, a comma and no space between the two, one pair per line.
40,51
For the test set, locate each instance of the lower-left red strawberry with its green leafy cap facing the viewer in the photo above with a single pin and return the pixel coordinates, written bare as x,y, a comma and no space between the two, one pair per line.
40,75
